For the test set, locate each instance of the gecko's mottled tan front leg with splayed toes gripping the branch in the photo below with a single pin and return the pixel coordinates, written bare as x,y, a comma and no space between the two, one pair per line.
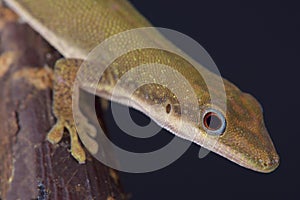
64,76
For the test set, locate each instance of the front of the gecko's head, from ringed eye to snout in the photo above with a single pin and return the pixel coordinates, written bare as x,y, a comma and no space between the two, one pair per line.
239,133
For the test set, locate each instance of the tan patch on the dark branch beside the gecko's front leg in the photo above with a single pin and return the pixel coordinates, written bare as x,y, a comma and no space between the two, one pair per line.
39,78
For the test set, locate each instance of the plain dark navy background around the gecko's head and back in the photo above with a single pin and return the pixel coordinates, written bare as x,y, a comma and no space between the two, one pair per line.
255,45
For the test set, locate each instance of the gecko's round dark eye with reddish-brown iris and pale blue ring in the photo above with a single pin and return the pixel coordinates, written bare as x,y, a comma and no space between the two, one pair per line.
214,122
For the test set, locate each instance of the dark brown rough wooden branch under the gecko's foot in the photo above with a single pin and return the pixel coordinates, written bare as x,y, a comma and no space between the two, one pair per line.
31,167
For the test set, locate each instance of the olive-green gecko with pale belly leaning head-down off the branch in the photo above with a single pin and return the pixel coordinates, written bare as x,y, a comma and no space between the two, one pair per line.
75,27
